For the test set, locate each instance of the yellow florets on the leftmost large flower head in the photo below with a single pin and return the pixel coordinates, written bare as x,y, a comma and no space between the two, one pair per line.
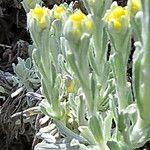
39,14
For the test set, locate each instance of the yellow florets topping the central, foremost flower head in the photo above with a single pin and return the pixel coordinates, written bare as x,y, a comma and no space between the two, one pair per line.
78,18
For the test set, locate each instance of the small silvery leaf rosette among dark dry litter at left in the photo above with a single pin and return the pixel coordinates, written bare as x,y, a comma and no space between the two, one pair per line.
26,78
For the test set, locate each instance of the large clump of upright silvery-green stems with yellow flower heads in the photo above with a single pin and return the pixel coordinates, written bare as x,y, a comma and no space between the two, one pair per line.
88,99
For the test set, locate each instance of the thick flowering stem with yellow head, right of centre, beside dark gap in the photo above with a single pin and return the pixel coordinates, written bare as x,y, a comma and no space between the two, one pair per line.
118,26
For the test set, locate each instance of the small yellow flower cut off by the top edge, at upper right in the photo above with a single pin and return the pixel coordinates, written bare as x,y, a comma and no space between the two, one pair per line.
135,6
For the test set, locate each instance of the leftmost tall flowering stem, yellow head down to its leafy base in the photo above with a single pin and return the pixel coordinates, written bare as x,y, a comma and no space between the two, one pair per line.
39,24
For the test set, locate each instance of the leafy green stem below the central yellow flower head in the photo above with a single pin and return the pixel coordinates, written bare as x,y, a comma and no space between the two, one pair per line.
81,69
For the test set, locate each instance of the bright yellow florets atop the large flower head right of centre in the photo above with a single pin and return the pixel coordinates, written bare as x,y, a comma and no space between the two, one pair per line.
115,16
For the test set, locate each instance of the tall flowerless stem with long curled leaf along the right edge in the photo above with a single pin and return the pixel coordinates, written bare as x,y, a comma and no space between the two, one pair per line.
141,79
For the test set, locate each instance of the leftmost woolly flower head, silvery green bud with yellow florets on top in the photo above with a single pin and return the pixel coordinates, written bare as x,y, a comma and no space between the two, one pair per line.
39,24
